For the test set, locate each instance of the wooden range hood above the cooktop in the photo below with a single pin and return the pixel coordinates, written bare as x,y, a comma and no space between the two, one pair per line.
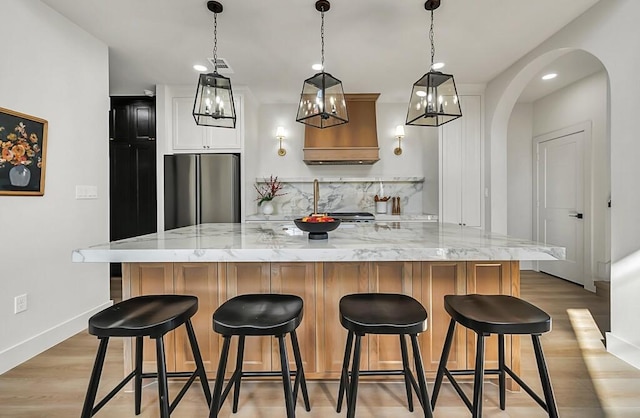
355,142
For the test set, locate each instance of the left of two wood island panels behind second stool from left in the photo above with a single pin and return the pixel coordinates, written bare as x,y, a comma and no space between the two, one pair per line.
244,278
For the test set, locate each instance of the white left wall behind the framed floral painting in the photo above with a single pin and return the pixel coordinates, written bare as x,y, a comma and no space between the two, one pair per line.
53,70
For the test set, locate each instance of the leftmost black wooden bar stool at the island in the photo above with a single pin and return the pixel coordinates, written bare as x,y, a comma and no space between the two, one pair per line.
145,316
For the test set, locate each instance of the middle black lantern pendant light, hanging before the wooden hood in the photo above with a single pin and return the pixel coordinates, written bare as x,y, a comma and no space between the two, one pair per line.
322,103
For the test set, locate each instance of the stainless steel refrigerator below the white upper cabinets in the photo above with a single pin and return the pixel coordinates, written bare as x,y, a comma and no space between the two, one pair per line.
201,188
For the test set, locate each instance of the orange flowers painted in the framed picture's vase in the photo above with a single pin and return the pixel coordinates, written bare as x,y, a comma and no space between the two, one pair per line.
19,147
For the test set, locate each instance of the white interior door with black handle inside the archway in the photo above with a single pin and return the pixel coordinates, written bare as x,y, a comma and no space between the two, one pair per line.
560,202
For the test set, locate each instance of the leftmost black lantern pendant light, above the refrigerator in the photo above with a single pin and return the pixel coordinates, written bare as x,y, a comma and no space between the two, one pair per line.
214,98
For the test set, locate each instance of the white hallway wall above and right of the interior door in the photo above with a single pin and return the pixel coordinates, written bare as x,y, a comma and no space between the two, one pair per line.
585,101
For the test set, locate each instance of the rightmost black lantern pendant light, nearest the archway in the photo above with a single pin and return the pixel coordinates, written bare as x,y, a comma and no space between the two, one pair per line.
434,99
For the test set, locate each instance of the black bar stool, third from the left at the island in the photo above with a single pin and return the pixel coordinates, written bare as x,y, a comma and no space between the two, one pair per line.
382,313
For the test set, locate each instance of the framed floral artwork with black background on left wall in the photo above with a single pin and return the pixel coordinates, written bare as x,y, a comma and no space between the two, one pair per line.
23,145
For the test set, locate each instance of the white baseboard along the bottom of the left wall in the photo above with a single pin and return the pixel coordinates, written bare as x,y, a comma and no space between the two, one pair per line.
31,347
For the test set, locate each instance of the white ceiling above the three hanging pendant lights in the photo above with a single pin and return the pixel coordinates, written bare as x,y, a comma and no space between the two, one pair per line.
371,45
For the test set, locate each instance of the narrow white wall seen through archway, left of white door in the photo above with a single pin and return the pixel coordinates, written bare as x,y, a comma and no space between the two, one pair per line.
520,178
